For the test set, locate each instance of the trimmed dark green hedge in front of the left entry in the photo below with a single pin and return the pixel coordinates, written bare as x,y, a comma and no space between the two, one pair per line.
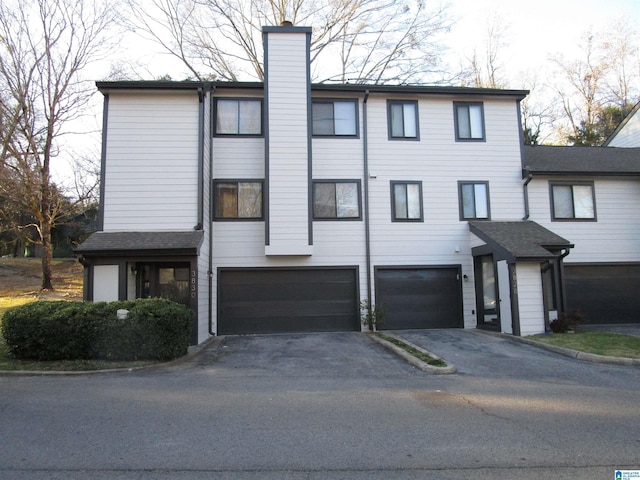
155,329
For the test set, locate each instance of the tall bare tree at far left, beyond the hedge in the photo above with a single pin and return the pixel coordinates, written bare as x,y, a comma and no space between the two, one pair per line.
44,47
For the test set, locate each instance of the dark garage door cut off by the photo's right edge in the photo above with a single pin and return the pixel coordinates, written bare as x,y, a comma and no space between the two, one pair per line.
604,294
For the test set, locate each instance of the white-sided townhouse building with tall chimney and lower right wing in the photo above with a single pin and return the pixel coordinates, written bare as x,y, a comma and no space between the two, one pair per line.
280,206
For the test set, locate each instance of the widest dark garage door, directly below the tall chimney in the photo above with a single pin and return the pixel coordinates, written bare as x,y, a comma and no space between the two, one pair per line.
287,300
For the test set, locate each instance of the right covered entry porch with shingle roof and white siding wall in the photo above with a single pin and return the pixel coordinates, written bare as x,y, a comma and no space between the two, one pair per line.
519,276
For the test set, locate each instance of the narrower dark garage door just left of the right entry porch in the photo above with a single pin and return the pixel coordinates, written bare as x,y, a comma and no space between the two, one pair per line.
419,297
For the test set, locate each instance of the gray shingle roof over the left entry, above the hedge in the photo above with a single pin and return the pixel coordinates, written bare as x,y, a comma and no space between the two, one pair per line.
126,243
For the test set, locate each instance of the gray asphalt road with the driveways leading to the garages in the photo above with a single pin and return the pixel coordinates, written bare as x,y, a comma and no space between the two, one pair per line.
329,406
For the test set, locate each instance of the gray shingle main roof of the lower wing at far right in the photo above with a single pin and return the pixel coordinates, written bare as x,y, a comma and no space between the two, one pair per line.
609,161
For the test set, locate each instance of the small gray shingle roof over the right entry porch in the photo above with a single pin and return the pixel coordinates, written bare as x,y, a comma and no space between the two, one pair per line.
520,240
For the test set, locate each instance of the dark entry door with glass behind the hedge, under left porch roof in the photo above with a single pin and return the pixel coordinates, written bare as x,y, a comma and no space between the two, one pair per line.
170,281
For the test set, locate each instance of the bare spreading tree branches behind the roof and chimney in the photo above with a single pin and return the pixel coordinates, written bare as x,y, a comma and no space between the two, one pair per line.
374,41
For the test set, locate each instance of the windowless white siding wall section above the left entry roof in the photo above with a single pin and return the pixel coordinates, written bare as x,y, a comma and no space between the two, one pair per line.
151,175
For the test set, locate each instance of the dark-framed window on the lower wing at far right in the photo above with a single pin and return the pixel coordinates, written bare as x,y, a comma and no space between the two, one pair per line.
573,201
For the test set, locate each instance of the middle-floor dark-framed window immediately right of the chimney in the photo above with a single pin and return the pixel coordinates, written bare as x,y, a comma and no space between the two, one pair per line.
336,199
